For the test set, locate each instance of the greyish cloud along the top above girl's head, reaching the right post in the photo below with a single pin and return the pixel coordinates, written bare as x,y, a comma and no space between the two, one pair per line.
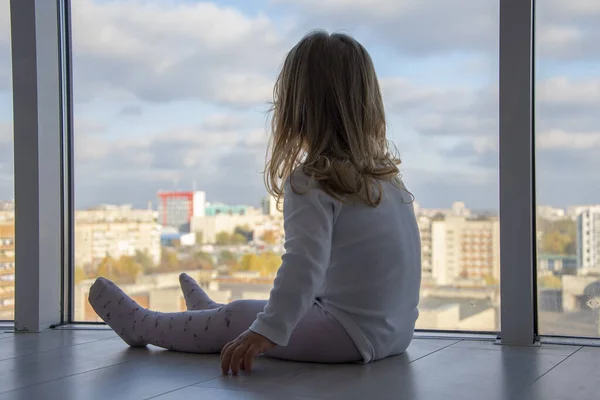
415,27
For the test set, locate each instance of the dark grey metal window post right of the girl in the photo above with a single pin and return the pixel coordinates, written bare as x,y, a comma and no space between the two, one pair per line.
518,308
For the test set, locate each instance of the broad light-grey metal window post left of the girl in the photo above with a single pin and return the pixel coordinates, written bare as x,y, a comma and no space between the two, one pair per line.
38,131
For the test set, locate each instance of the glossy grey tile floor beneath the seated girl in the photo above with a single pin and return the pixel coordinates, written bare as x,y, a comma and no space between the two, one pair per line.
95,364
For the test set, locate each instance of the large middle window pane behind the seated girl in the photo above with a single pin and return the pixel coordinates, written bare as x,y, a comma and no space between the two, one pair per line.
170,108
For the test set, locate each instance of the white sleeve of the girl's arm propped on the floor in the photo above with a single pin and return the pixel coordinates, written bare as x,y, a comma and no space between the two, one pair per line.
308,226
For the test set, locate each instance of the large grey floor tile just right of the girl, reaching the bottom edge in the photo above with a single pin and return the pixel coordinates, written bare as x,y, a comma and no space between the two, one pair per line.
453,373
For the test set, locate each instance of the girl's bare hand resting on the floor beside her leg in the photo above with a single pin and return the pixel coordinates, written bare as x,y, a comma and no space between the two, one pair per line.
241,352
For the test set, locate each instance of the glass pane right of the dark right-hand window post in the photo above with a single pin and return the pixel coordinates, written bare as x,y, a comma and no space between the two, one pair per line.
568,167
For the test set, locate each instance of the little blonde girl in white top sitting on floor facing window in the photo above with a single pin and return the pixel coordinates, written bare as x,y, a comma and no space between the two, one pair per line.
348,286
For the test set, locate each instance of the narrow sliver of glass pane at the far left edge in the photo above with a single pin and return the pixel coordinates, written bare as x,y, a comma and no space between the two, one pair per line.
7,206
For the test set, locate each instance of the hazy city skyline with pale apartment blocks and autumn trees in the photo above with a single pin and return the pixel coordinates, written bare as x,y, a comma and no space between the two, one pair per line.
460,258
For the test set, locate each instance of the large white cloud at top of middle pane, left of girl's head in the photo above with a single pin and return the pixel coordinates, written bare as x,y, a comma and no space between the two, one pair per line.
161,51
